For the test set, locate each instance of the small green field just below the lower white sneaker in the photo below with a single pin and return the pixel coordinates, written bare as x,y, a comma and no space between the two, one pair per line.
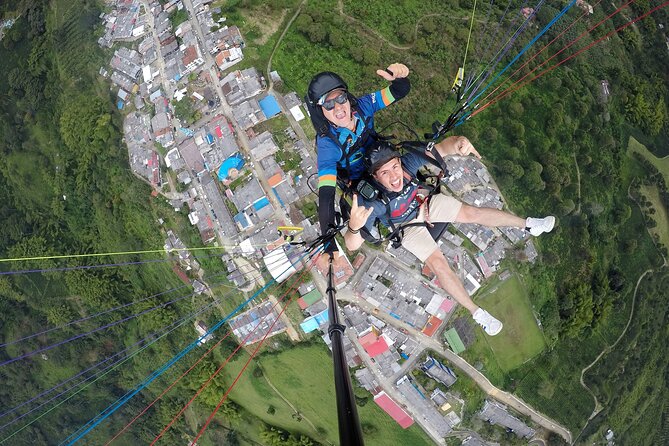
520,340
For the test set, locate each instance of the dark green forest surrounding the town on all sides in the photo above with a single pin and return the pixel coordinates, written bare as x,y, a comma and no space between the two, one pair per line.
554,146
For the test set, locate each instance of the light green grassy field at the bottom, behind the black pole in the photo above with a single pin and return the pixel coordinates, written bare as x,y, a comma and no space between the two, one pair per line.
303,375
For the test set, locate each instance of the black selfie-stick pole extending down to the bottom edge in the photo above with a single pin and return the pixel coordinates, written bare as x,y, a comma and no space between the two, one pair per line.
350,433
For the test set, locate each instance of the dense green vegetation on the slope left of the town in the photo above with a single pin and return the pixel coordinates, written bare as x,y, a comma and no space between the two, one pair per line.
66,187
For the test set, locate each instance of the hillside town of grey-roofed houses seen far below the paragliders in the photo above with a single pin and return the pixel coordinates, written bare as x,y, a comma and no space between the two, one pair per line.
222,143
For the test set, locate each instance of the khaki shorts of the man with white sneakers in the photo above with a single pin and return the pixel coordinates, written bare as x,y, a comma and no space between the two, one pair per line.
417,239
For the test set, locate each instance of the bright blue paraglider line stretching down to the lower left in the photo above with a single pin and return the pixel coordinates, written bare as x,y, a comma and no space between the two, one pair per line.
124,399
